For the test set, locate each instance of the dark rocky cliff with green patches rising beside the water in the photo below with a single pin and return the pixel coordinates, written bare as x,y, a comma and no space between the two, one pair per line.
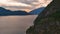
48,21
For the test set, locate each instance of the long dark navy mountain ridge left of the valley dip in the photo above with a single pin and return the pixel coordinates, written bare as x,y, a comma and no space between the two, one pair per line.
4,12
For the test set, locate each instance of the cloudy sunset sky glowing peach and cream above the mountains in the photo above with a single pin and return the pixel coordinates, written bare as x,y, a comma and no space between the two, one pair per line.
25,5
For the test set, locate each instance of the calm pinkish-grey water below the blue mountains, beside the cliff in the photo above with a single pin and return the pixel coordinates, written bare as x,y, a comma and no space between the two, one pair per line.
16,24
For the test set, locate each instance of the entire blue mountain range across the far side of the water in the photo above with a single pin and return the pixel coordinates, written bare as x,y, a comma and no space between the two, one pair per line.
4,12
